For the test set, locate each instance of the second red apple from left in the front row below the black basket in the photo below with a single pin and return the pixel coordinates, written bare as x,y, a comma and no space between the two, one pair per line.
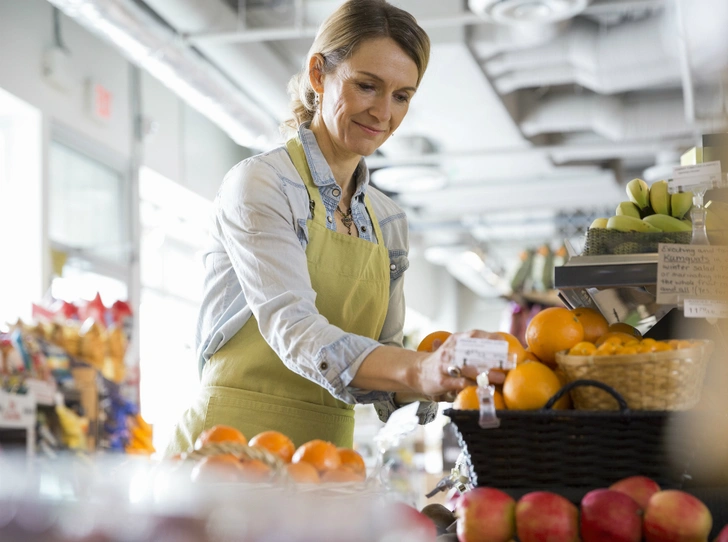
543,516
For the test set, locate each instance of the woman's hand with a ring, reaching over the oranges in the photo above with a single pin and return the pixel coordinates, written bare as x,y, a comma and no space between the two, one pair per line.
437,375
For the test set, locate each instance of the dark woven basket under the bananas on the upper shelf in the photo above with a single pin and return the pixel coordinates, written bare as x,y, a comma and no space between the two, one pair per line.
602,241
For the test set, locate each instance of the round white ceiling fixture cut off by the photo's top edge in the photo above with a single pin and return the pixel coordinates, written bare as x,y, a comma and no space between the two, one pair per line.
518,12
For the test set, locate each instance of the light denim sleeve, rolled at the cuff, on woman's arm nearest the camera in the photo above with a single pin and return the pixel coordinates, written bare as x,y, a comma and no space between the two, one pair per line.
256,225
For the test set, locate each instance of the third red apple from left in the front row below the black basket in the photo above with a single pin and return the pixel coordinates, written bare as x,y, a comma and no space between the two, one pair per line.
610,516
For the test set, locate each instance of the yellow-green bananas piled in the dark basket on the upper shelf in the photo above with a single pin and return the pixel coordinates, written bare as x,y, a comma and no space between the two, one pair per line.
650,209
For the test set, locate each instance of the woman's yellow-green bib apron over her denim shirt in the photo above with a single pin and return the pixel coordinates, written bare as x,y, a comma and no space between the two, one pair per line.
247,386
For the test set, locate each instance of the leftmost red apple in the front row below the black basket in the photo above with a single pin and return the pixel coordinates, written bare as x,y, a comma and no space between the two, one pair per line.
485,515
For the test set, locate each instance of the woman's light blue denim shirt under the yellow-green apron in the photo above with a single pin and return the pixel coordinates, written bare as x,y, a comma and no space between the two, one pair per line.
255,264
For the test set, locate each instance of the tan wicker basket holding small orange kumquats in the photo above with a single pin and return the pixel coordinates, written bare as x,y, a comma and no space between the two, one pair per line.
670,380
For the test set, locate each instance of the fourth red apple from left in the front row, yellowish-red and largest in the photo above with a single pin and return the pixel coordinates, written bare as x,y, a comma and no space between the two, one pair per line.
676,516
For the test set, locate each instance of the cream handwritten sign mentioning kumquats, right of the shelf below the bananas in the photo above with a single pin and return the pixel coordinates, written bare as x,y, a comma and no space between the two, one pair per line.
691,272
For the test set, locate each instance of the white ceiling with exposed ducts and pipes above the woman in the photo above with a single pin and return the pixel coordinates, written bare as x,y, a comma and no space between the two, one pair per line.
531,122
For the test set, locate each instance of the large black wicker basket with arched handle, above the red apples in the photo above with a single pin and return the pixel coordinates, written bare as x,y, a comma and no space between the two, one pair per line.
577,449
